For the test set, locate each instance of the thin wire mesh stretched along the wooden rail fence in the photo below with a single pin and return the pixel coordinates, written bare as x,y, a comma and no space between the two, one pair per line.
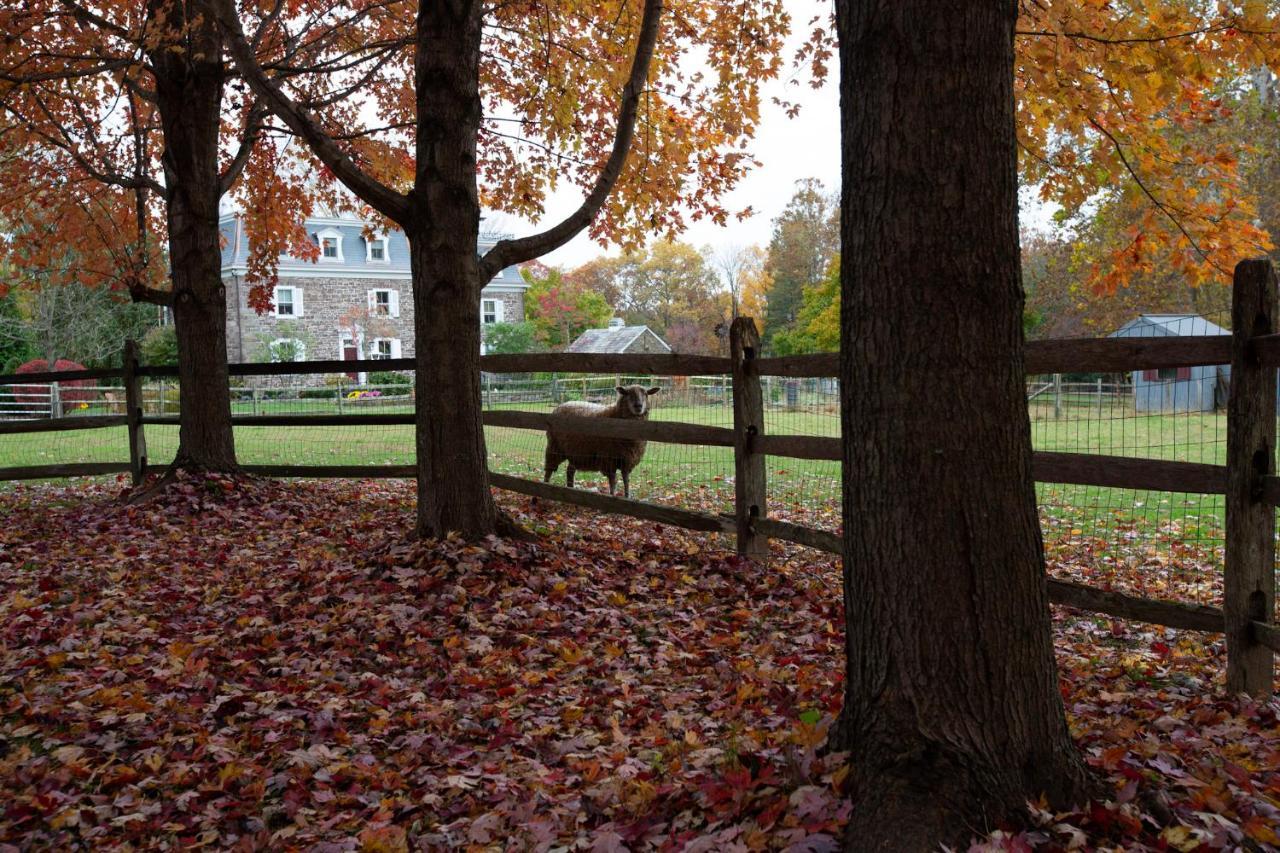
1099,416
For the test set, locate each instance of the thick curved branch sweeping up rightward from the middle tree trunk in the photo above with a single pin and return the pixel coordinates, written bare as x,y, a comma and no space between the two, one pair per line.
514,252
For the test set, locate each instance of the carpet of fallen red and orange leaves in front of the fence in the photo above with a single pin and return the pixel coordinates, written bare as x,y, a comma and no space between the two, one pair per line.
271,665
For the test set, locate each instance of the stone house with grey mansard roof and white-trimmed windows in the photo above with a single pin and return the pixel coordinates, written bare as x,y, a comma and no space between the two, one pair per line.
355,302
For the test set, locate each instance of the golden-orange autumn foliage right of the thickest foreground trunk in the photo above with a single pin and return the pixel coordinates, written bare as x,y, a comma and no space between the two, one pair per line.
1114,104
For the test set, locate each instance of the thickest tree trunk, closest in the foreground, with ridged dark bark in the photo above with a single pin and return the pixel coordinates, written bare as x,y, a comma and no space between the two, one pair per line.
952,713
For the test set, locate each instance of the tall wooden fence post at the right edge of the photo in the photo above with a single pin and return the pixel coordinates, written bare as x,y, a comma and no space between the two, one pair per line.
1251,440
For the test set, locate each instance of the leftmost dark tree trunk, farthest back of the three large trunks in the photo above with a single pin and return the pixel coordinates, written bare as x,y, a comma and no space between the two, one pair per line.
190,95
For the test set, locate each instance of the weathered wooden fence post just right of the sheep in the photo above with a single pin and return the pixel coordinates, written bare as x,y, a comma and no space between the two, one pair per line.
749,480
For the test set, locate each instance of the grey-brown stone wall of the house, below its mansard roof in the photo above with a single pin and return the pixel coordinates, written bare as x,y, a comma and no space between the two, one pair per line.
324,303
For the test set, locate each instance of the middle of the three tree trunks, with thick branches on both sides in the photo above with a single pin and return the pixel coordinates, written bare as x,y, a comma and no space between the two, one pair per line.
452,467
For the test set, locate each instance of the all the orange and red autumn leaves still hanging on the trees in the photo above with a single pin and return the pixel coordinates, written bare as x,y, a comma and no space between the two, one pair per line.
1118,106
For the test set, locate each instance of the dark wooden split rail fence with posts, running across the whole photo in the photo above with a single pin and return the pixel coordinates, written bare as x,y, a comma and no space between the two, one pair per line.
1247,481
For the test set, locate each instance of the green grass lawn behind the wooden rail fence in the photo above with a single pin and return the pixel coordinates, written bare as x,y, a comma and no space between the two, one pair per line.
703,476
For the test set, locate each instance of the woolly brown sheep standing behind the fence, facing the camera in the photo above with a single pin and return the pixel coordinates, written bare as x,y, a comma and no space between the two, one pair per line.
597,454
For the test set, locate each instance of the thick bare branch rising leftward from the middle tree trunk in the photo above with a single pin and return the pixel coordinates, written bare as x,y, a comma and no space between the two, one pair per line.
380,197
